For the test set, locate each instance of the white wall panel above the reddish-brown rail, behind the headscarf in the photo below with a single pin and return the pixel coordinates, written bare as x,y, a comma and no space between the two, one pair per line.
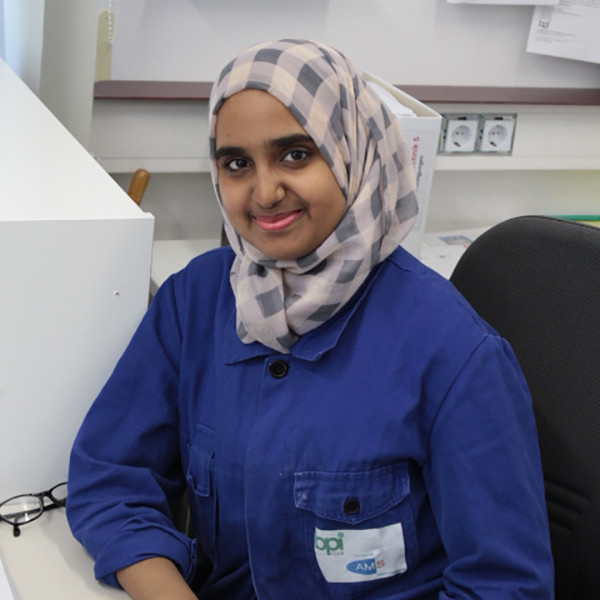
405,41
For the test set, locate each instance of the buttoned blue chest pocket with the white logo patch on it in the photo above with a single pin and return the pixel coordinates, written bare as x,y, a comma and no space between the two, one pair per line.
359,526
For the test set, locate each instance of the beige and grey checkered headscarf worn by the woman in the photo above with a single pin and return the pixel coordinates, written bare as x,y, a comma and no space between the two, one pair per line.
279,300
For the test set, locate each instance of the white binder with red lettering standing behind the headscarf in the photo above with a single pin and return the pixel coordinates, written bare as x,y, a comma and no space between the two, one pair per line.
421,126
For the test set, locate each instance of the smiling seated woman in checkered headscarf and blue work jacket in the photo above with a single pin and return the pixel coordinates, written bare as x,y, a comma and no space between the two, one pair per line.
345,424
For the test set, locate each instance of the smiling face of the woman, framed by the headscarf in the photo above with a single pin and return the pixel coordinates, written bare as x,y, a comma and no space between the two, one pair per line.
277,190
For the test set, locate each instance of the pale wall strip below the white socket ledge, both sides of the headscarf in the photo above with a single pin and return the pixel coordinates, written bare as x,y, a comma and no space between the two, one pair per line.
185,206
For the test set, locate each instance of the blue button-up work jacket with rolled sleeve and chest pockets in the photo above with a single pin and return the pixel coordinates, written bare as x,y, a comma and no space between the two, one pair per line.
391,454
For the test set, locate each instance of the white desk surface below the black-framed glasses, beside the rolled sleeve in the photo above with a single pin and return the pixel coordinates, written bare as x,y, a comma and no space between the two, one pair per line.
46,561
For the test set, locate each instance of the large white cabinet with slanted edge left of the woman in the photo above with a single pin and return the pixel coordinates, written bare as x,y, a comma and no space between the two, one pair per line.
75,256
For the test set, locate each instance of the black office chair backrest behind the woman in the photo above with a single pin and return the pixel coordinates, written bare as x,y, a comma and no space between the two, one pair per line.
536,280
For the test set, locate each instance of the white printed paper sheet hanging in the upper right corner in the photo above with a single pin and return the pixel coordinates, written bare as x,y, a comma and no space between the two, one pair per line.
571,30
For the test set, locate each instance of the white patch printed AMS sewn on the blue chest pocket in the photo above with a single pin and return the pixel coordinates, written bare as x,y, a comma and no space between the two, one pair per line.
351,555
